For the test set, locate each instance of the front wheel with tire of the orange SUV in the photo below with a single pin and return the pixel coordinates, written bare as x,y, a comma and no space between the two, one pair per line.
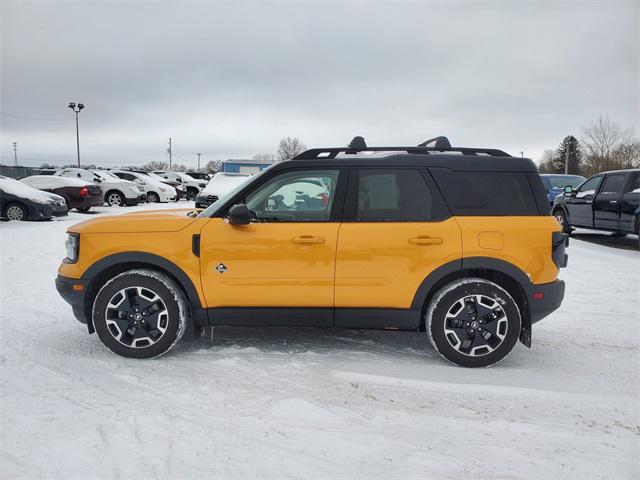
126,320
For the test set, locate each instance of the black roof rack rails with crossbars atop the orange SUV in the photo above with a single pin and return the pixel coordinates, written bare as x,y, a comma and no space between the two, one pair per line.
357,145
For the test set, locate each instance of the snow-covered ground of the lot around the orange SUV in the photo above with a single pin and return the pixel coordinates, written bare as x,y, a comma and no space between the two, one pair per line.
282,403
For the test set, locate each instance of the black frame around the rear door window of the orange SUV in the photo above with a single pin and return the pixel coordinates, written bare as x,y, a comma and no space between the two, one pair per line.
350,212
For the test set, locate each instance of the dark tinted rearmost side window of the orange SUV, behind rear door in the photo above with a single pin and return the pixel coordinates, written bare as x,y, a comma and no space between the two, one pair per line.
486,193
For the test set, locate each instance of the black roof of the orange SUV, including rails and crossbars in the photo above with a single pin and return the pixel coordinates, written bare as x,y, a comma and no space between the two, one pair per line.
442,154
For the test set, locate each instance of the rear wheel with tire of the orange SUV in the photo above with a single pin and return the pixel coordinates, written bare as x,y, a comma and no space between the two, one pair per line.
473,322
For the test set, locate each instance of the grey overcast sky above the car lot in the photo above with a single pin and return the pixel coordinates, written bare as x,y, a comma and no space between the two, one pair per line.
230,79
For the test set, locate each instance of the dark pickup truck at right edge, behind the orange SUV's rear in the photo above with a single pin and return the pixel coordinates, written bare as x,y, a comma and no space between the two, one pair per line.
608,201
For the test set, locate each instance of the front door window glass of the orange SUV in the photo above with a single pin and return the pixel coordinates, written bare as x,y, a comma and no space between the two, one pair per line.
295,196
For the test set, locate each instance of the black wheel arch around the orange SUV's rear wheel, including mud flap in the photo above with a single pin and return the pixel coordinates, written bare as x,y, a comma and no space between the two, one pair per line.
504,274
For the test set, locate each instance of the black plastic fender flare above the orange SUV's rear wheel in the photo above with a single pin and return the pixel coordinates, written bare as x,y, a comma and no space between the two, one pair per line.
485,263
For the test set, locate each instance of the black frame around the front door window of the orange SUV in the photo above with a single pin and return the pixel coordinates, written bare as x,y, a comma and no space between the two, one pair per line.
335,216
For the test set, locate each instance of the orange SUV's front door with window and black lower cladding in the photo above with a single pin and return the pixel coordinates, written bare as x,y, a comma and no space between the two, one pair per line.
284,258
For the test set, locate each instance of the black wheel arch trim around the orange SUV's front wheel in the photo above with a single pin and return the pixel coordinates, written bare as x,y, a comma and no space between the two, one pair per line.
108,267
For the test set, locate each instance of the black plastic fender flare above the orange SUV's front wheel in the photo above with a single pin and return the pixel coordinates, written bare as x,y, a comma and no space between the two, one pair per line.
143,258
